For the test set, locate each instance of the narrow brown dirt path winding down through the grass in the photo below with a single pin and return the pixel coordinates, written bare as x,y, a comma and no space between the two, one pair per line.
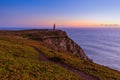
77,72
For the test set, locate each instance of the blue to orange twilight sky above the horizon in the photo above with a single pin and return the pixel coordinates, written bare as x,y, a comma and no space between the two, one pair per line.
63,13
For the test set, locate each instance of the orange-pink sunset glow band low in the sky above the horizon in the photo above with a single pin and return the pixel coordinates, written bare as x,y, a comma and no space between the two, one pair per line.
71,24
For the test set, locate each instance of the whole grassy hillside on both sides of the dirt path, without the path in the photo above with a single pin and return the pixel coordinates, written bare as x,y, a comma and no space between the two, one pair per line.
20,60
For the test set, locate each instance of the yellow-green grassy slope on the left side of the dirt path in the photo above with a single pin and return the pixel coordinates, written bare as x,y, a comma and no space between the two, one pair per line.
21,62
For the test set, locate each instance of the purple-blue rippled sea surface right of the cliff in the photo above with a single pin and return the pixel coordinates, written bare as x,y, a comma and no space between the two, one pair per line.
101,45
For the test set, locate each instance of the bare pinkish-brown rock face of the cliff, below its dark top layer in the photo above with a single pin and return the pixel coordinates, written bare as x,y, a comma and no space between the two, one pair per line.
68,45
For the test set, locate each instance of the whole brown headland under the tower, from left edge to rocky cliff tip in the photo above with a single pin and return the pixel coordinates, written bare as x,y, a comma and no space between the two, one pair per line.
57,40
